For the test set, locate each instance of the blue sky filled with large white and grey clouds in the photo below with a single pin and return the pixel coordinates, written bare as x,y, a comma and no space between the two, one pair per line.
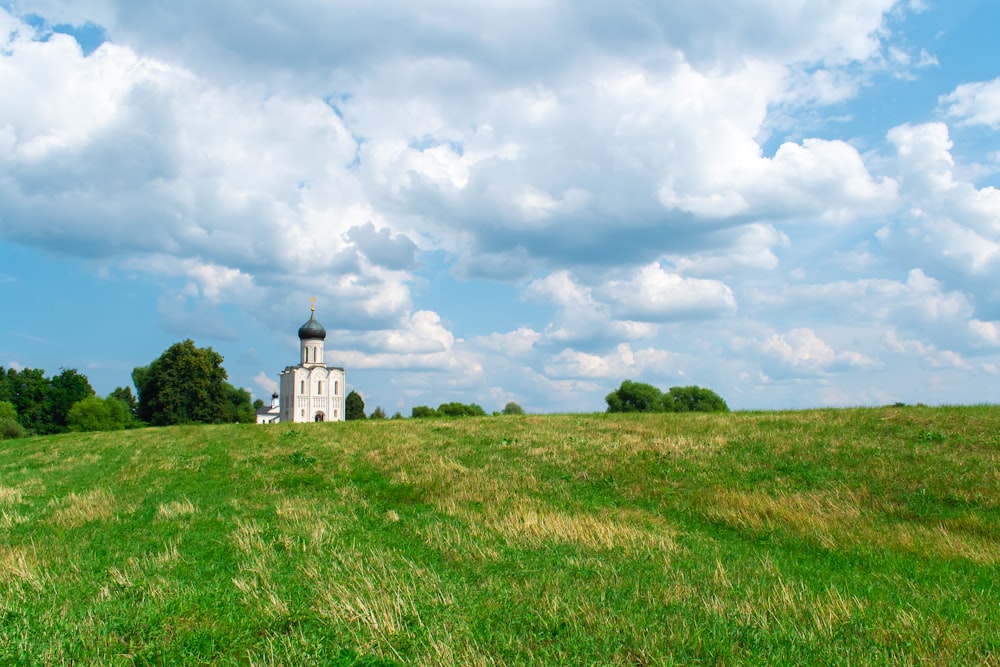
792,203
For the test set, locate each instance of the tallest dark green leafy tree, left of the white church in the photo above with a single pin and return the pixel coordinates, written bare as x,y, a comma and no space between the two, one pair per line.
185,384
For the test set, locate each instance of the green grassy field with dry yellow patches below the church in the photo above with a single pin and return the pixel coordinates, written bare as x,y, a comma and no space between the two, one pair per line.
861,537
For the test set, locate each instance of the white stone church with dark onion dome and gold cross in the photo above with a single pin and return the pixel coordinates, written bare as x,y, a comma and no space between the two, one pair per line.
310,391
